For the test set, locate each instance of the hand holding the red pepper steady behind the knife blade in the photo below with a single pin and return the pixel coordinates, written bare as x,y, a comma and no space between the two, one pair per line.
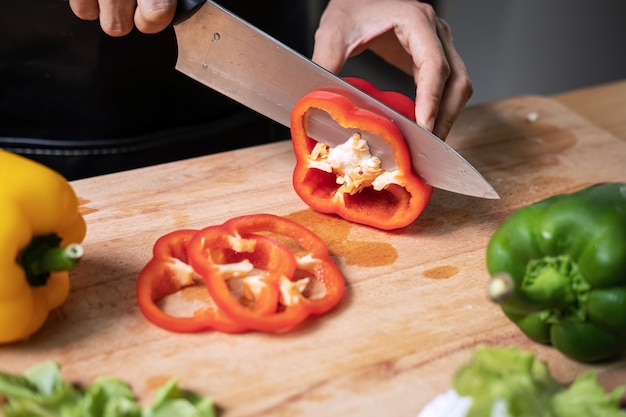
408,35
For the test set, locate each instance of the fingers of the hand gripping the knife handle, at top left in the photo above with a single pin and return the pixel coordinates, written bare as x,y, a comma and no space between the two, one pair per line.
118,17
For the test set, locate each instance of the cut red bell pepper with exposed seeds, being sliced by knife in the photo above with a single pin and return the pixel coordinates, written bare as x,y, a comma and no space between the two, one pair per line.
359,191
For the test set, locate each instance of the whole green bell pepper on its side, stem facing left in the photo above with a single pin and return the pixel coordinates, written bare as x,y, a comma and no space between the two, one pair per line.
558,270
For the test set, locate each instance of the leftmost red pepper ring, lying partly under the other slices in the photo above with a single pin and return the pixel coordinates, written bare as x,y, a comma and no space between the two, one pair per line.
168,272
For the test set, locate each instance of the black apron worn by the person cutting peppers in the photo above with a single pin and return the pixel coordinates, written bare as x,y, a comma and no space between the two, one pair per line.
86,104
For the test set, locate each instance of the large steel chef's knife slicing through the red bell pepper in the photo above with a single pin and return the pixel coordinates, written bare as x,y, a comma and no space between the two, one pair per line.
222,51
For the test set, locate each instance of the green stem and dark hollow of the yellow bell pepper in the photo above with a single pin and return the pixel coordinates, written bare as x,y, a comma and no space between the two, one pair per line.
44,255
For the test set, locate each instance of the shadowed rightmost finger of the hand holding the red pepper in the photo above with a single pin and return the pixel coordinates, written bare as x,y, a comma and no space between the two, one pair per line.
458,89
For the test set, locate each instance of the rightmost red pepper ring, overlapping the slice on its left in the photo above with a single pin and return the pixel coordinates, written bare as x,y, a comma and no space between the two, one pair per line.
295,306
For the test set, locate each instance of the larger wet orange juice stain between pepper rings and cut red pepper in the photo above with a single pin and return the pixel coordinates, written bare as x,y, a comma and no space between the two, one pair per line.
335,232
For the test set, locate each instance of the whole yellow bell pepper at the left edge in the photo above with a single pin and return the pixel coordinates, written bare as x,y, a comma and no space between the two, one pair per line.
40,234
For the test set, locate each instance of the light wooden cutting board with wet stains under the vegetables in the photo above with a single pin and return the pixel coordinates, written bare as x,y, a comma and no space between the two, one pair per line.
415,306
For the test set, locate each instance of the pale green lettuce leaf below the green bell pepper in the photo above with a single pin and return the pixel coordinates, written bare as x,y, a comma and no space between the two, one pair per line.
525,384
